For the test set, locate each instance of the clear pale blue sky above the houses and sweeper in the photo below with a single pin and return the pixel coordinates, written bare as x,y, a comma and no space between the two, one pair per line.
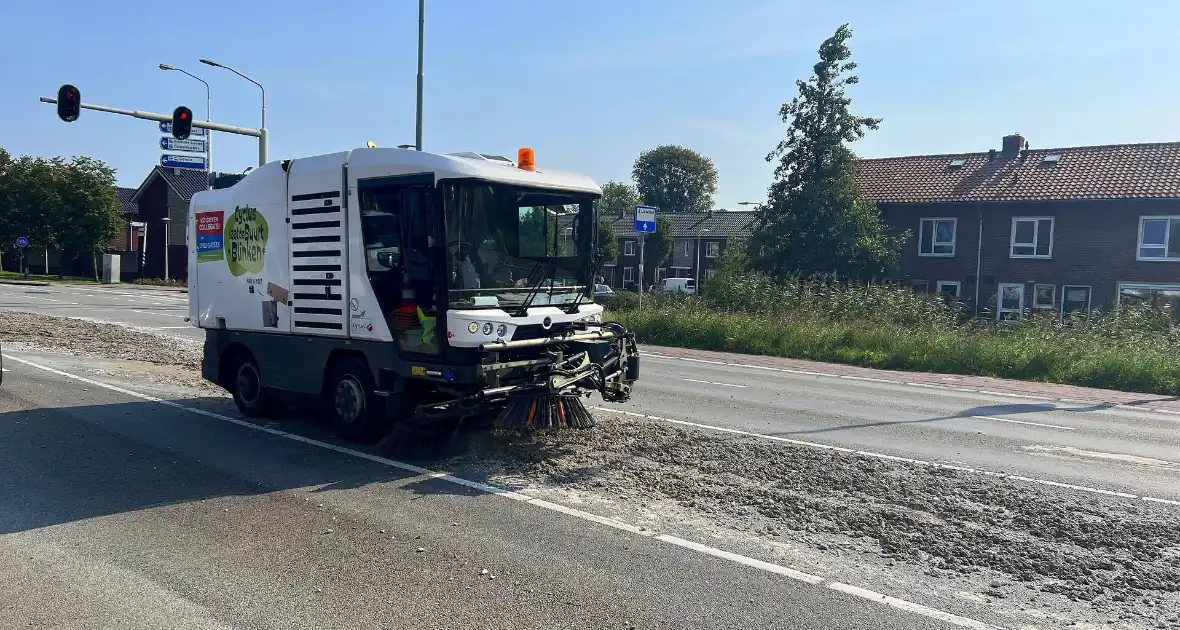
587,84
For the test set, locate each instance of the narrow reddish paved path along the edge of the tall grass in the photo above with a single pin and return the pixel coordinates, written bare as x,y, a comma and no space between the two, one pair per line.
988,385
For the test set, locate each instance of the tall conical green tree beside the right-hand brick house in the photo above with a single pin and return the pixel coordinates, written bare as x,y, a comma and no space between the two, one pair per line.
815,221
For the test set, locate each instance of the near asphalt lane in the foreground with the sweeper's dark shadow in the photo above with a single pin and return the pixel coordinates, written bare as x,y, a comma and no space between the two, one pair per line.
130,514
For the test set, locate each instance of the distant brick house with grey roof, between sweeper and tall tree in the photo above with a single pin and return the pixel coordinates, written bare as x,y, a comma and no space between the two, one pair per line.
699,239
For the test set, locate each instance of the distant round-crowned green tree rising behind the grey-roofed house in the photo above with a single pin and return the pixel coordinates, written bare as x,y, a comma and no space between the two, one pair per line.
676,180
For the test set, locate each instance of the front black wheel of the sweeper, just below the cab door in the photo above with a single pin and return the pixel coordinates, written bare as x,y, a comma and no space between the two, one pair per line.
357,412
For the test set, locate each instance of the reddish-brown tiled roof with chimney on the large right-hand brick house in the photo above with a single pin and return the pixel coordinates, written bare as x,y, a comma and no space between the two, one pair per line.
1079,173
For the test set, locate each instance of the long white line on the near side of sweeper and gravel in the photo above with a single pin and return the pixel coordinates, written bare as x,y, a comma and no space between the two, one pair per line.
864,594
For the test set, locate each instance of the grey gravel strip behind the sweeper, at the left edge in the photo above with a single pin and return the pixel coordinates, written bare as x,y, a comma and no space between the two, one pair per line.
83,338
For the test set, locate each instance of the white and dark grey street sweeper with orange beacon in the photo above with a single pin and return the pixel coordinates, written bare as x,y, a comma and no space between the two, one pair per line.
411,294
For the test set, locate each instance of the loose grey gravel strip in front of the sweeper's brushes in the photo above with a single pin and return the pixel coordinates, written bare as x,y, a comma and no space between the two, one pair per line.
1090,549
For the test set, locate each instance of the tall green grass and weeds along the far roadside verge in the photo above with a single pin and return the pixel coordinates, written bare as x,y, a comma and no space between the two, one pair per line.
1130,349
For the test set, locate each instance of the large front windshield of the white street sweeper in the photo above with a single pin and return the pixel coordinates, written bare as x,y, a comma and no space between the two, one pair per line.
512,247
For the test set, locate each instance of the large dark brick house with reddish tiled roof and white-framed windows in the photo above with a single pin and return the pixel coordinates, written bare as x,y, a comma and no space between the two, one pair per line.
1058,229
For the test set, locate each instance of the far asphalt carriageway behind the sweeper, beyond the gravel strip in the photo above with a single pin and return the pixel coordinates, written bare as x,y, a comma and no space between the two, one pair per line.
1091,447
